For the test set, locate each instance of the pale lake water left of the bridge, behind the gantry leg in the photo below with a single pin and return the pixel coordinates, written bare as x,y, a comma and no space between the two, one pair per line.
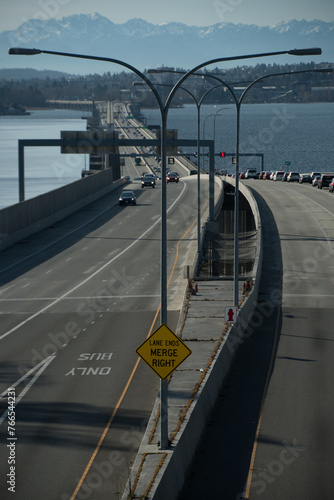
45,167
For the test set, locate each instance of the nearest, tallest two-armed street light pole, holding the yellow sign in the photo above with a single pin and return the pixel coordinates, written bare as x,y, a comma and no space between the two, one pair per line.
163,107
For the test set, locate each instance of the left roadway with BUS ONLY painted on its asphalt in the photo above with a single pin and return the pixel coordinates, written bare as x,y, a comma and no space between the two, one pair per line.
76,301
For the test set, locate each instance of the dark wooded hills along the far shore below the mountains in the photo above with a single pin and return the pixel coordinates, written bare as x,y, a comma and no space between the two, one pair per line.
21,92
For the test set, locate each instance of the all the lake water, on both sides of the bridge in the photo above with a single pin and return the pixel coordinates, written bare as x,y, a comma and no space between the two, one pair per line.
302,134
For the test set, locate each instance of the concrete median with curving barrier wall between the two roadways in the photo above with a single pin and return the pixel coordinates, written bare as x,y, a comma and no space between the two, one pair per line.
159,474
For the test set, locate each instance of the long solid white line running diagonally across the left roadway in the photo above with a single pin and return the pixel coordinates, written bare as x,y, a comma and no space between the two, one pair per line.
91,276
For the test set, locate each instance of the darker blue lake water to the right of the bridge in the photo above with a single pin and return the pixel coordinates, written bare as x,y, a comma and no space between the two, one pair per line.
302,134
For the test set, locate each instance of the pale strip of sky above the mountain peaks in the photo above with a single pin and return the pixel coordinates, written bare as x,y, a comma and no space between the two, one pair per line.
192,12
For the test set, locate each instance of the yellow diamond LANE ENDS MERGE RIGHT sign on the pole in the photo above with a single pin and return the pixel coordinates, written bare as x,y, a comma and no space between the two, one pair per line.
163,351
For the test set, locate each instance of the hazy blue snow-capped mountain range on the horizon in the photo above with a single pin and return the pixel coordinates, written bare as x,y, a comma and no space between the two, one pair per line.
146,45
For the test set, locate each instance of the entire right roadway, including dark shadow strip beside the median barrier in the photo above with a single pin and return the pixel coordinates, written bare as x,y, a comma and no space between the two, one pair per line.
270,433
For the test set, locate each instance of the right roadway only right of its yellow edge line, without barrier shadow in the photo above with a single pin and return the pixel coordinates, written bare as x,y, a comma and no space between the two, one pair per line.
294,455
